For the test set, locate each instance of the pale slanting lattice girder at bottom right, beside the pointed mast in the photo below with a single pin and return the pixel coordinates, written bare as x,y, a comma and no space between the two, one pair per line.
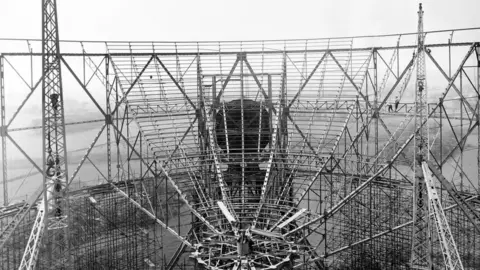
450,252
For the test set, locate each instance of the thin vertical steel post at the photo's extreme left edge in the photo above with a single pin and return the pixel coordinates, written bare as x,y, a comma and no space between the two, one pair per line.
3,134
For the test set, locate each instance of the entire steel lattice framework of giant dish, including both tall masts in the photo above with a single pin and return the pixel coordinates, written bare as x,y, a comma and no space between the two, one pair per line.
249,154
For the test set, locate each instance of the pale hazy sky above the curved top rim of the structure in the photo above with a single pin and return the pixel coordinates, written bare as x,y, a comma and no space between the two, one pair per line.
233,20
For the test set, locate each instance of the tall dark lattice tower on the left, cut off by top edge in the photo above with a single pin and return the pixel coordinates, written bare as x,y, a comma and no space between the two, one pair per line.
55,165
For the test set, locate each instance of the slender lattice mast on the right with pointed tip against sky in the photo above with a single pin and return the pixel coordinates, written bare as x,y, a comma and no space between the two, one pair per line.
421,257
